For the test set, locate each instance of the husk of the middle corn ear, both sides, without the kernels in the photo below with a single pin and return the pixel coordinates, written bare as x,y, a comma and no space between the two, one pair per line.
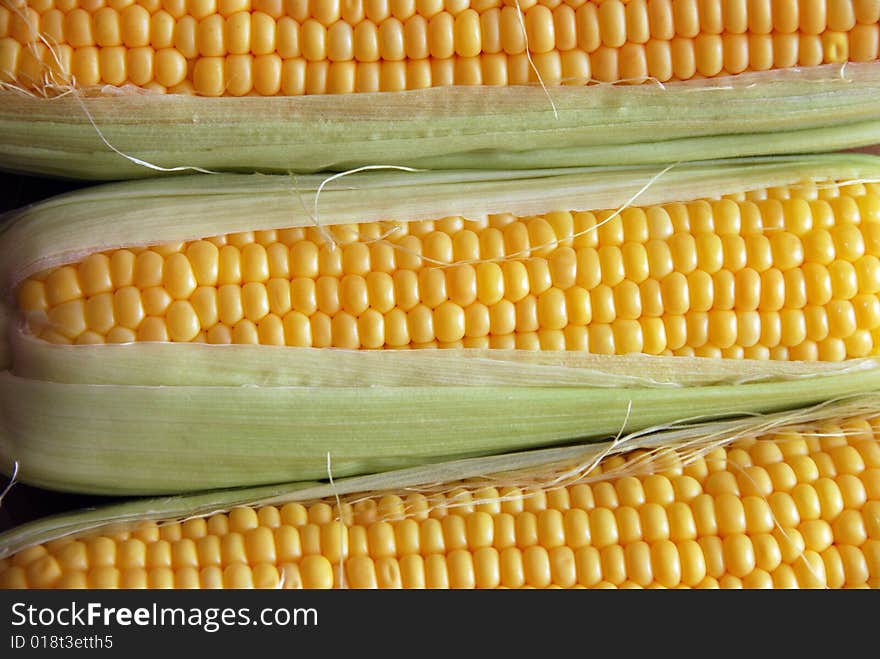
167,418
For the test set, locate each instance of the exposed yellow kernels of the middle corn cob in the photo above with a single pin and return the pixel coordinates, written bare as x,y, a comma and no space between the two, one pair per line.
779,274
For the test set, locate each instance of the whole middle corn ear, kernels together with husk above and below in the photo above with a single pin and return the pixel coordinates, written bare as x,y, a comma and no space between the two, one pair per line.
495,396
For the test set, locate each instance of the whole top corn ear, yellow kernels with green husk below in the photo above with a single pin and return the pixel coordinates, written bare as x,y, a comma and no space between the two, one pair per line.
486,90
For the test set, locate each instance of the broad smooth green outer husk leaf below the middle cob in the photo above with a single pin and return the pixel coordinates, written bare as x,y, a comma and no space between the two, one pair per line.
126,439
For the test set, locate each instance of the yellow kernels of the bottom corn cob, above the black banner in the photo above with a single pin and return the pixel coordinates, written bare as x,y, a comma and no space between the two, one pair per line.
793,509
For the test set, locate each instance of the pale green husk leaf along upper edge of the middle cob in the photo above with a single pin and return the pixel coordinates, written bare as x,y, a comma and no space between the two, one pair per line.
65,228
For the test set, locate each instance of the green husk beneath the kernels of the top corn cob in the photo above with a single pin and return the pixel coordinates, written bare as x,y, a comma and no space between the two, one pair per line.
790,111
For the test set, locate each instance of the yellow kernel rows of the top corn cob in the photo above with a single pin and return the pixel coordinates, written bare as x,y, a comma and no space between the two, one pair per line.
296,47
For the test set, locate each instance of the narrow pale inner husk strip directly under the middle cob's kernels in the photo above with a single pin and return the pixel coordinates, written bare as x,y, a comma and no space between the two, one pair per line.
177,364
